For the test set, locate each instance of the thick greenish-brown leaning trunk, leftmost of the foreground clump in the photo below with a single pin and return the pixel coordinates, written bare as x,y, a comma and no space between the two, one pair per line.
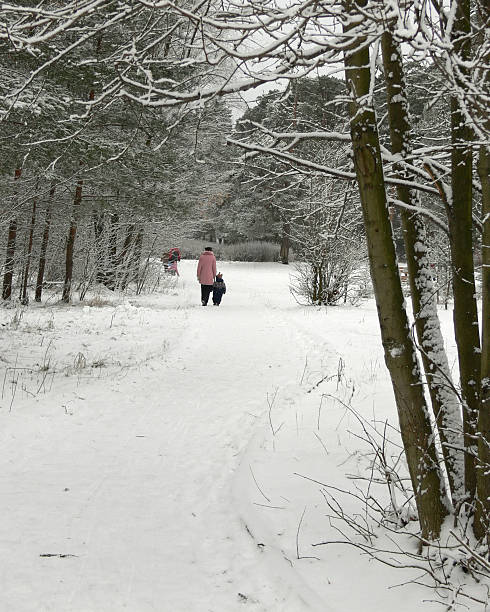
400,355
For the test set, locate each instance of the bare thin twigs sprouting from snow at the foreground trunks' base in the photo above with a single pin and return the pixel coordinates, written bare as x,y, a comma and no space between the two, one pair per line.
382,525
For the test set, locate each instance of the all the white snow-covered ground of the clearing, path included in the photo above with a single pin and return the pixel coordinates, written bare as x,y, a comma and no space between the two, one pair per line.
158,455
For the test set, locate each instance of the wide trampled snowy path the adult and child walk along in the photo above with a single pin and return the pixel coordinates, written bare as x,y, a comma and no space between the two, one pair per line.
133,475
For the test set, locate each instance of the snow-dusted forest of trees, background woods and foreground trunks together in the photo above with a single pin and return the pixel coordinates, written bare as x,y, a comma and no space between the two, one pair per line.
347,139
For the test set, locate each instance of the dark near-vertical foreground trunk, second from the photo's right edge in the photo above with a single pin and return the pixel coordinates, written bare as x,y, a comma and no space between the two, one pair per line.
460,227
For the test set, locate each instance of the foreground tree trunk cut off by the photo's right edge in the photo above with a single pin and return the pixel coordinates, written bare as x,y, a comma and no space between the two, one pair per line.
482,513
